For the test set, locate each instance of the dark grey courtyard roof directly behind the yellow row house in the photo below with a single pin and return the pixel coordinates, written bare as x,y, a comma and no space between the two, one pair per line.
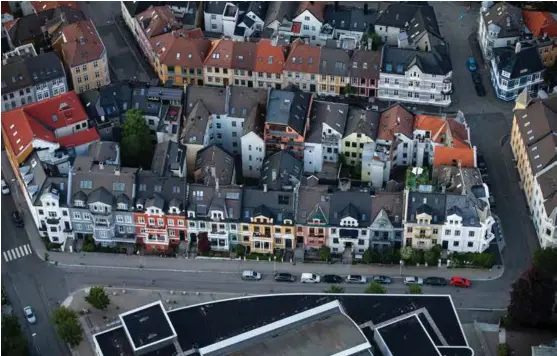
281,171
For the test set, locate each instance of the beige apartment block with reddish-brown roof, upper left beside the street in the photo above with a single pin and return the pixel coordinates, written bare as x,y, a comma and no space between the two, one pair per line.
84,56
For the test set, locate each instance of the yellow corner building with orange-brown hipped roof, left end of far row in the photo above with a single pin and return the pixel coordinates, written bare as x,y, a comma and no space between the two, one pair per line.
178,57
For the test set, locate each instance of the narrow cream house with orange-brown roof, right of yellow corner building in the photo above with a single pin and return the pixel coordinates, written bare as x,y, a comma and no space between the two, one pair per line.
217,68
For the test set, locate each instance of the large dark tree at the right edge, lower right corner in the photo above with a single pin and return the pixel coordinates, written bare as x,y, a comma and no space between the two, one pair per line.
532,299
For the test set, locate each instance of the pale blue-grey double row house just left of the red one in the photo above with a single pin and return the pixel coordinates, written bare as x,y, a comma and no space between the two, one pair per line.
101,201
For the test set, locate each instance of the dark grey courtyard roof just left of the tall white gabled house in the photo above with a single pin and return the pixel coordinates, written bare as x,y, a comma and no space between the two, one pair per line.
213,162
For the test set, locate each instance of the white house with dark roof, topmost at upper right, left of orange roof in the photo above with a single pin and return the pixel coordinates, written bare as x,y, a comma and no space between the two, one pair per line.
500,26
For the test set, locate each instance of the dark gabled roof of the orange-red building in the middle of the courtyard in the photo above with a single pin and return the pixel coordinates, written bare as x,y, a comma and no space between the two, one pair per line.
289,106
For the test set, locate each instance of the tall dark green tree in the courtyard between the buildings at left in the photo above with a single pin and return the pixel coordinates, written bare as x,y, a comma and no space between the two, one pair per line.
137,144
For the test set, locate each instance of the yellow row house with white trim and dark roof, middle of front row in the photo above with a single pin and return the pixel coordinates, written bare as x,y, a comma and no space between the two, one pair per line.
268,220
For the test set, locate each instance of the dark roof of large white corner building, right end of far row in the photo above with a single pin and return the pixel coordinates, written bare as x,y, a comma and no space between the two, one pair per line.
437,61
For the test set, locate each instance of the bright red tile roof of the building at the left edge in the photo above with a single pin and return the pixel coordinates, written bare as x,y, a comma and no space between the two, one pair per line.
41,119
